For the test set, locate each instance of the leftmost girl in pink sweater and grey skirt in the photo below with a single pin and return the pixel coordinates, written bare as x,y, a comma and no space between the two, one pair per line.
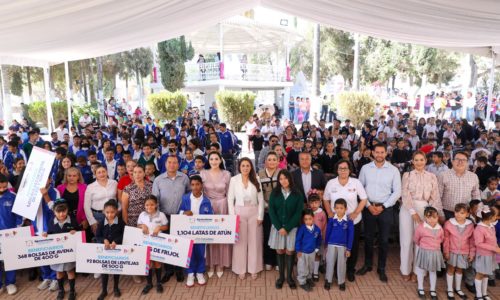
428,236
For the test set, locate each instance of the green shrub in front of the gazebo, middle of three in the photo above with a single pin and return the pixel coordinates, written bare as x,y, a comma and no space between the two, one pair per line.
235,107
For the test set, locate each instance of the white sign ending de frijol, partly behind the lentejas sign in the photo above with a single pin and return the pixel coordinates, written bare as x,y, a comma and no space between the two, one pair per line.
168,249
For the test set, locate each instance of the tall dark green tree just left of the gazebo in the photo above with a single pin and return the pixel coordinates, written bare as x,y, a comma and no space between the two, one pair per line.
172,55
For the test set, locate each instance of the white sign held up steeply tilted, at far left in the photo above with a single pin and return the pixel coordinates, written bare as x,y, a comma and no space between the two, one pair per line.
35,177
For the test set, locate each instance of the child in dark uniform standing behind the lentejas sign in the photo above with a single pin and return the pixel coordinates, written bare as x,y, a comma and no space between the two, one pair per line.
110,233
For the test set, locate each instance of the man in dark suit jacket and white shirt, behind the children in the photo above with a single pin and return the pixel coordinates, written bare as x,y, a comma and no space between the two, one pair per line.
306,178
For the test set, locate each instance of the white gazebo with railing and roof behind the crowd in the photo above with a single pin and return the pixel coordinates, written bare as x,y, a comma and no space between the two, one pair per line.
230,43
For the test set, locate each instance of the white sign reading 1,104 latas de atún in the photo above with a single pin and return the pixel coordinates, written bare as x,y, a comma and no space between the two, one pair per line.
206,229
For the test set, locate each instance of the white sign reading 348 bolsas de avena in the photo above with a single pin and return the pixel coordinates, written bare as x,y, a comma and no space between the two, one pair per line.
29,252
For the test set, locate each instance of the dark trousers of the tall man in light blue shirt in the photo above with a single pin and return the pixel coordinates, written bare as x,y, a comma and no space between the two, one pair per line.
384,223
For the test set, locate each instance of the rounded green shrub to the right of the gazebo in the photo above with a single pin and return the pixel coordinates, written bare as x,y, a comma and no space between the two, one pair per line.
356,106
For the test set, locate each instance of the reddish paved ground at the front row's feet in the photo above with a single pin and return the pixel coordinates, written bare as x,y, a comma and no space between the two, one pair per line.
230,287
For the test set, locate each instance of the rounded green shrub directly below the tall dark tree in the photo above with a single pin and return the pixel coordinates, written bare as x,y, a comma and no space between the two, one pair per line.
167,105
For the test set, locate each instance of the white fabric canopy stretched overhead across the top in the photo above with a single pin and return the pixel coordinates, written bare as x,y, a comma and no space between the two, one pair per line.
40,33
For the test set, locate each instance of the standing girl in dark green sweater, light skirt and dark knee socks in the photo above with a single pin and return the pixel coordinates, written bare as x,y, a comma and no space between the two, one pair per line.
285,209
